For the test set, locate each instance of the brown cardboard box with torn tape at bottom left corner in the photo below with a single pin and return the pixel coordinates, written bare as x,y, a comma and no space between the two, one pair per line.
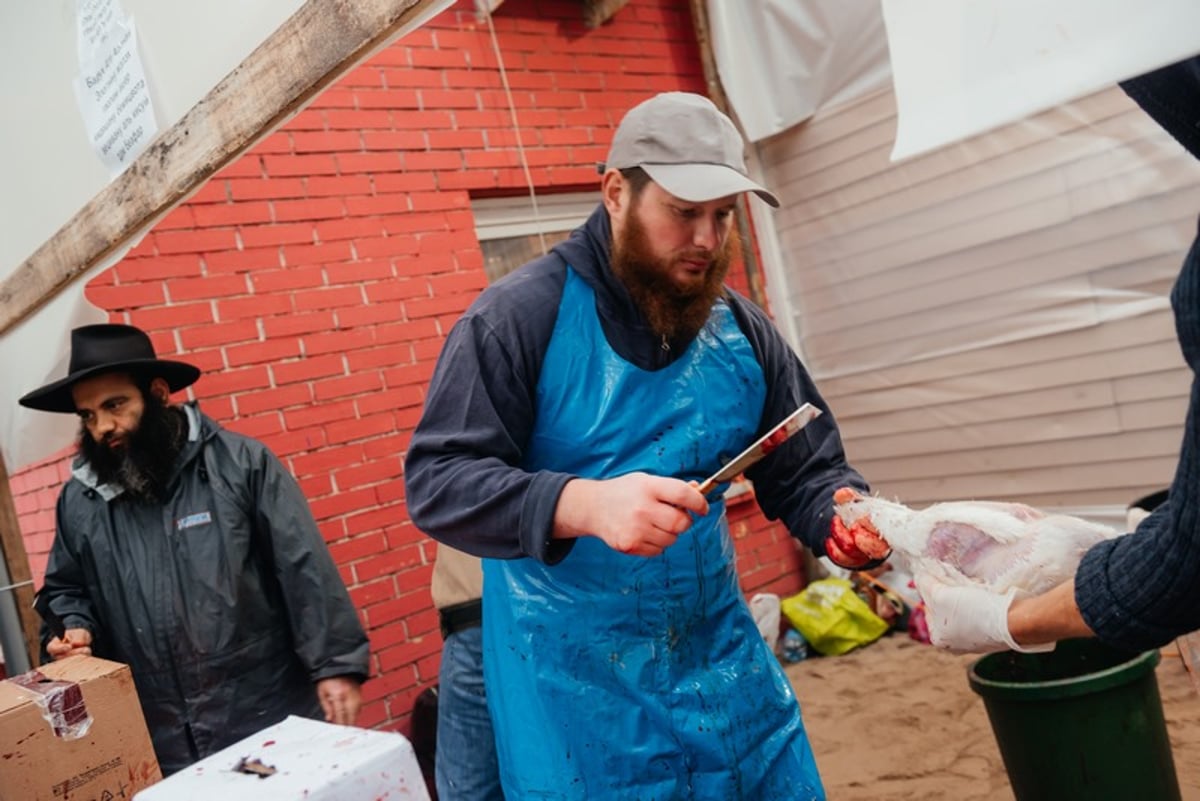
73,731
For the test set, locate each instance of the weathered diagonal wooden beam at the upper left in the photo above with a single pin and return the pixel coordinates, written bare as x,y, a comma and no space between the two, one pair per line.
319,44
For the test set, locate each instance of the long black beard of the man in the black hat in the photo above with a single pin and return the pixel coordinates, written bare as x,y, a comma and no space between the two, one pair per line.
143,467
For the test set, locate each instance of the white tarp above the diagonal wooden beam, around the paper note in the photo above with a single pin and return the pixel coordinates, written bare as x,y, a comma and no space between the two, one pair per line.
187,49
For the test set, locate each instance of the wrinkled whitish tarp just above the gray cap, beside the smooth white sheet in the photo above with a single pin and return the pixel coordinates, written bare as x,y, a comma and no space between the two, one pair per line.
781,62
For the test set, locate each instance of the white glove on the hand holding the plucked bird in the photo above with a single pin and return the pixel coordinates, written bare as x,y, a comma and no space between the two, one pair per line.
970,619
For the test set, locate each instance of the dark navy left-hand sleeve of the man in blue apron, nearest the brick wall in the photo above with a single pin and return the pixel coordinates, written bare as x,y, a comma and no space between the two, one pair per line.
463,475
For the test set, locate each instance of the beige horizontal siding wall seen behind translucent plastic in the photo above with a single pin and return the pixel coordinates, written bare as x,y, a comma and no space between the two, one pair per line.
992,321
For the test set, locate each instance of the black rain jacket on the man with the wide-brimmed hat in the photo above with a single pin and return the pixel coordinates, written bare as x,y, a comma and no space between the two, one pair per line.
224,601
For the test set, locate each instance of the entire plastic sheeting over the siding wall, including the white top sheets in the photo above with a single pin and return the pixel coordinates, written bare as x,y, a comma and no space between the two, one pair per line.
988,320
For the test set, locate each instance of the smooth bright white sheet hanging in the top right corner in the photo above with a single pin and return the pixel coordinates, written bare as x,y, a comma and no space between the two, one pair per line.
967,67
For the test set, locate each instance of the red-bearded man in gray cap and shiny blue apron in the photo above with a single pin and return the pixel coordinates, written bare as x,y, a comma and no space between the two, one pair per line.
573,412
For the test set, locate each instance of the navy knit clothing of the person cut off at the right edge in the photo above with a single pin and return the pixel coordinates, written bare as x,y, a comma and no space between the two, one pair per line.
1143,591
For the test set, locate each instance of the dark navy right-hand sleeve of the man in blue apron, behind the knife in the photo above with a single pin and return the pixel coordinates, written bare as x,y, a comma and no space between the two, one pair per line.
796,483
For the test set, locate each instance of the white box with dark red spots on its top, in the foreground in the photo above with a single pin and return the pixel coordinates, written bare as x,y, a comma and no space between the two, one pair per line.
302,760
